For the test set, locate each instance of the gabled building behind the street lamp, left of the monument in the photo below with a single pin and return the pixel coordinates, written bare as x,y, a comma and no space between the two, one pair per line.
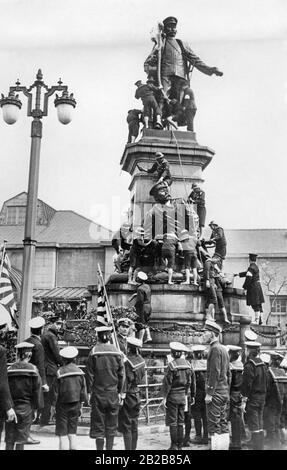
69,248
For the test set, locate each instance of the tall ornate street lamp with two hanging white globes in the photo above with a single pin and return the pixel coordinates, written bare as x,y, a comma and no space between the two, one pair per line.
11,106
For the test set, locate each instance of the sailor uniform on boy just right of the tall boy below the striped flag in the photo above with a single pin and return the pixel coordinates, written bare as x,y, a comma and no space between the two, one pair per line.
129,412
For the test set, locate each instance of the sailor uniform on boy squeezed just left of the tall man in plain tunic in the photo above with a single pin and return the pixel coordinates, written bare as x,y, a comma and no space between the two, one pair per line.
198,410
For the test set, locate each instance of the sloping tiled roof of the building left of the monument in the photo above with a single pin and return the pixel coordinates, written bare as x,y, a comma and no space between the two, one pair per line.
65,227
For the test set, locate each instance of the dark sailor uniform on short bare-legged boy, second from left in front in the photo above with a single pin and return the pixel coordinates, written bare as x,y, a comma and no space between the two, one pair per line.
69,391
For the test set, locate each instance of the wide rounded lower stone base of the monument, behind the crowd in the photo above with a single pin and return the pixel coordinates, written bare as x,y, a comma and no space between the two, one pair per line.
178,312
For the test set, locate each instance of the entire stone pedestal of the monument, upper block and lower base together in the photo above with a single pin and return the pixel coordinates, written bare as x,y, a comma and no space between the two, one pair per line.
178,311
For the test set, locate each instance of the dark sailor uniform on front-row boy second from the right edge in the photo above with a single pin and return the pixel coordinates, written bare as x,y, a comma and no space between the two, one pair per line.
254,387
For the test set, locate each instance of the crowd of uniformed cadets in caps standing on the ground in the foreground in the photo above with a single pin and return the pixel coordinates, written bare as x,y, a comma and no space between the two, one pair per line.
209,383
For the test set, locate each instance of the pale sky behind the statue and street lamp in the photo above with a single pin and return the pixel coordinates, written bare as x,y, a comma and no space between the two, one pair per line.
98,48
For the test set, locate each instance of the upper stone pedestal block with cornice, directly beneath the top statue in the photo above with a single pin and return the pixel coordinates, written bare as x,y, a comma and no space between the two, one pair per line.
187,161
